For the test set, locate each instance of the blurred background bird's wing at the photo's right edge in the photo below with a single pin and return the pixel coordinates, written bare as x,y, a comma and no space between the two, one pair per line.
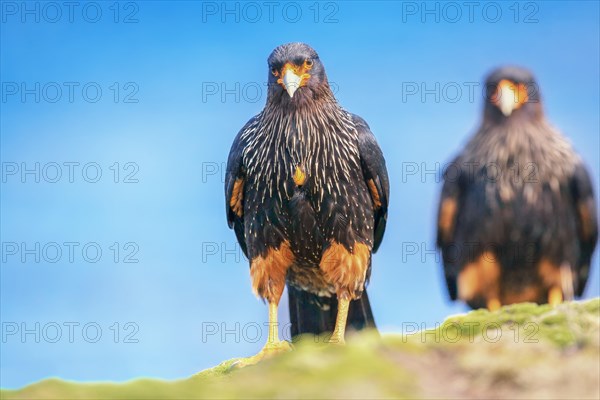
587,225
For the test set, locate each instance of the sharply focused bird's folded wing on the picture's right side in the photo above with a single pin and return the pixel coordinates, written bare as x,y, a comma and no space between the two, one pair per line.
375,175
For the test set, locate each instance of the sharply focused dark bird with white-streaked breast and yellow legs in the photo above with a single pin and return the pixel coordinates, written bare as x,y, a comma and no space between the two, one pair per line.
307,194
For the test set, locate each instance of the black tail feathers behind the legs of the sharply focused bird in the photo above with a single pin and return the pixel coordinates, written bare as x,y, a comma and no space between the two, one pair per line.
313,314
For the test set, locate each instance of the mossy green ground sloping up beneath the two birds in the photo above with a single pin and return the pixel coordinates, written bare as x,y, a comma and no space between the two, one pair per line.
521,351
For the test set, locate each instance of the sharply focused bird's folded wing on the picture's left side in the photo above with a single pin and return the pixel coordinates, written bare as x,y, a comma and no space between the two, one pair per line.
234,186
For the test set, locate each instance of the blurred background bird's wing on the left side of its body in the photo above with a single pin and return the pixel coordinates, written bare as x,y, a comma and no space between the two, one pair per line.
447,212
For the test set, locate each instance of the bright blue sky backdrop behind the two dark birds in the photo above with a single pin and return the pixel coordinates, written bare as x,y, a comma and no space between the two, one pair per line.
176,83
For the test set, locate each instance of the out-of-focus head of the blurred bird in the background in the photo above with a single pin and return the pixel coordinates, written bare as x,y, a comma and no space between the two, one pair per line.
512,91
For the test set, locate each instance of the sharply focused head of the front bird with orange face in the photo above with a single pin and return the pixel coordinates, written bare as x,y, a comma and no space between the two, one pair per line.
296,74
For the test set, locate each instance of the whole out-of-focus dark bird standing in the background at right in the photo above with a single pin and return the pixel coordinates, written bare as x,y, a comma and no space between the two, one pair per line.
517,217
